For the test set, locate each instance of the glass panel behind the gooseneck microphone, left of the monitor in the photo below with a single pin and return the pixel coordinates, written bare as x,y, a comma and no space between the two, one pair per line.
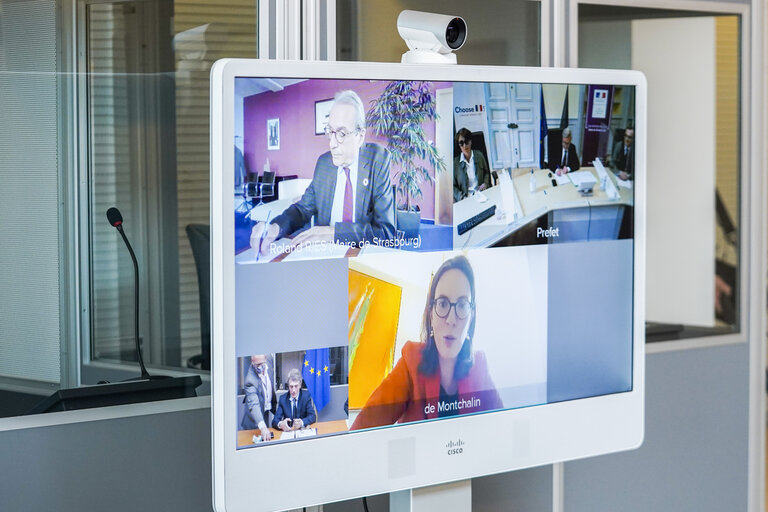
146,118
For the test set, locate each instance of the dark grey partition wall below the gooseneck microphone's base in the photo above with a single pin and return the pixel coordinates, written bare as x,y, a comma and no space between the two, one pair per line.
153,462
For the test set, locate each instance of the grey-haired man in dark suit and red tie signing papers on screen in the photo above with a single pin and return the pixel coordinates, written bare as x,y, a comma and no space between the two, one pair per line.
350,196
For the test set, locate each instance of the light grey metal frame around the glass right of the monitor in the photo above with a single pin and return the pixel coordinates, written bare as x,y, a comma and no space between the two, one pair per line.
752,218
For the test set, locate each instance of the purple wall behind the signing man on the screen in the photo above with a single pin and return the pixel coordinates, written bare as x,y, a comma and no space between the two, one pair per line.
299,146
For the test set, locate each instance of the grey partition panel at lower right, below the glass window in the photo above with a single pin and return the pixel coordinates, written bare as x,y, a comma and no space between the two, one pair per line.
694,457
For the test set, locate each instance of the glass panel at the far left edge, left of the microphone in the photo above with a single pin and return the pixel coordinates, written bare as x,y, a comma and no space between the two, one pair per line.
31,334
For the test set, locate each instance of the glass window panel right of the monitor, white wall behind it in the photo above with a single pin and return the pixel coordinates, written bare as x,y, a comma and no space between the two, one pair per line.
692,63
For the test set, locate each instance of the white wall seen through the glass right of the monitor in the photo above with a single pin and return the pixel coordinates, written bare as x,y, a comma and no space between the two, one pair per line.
677,56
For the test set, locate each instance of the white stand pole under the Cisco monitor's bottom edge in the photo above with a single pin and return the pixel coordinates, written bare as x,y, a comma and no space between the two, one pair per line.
456,496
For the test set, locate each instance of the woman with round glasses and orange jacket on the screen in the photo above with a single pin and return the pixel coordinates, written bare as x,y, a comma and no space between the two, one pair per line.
442,375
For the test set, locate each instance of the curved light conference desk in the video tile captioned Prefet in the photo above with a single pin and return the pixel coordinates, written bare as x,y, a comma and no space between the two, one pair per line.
528,206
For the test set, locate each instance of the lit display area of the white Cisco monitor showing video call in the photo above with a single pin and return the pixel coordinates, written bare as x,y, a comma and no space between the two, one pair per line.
411,251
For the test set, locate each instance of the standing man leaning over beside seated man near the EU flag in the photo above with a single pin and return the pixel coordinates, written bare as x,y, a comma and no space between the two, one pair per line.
260,399
